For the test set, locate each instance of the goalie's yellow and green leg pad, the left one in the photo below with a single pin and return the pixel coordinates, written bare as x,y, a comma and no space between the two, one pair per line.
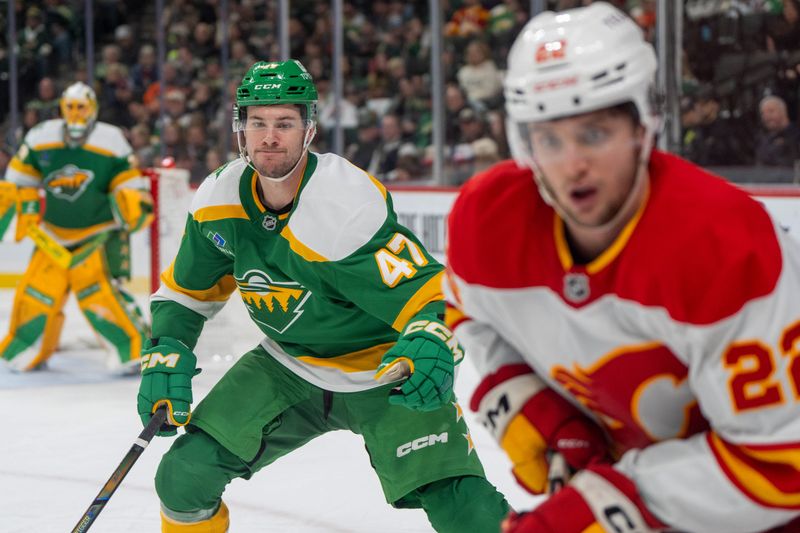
36,318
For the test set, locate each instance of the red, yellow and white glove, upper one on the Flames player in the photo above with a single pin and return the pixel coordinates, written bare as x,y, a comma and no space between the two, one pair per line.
530,421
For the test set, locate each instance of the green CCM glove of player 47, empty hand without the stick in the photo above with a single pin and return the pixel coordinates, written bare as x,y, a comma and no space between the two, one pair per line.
430,351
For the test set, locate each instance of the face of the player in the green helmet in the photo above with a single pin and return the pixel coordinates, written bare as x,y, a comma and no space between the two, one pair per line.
274,135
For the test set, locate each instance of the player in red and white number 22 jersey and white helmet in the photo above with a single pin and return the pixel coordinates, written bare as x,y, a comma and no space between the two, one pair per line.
625,307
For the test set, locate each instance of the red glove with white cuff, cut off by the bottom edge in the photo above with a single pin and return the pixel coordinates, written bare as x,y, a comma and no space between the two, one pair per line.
599,498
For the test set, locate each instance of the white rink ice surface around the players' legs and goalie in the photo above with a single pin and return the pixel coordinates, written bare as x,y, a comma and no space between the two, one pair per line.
65,429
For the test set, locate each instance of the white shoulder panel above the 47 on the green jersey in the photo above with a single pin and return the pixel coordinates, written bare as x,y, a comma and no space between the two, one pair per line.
339,210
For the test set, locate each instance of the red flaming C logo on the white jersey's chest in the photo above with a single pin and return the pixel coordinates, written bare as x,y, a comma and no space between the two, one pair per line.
640,393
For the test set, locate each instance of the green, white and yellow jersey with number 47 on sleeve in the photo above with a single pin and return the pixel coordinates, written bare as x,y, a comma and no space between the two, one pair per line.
330,282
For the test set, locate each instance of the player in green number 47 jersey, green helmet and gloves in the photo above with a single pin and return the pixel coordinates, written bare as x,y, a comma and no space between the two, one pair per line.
342,292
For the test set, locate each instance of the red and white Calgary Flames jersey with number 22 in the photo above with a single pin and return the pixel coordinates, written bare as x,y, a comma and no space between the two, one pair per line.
682,339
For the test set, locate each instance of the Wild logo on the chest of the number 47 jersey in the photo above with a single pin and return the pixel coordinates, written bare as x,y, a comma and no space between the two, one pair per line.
274,304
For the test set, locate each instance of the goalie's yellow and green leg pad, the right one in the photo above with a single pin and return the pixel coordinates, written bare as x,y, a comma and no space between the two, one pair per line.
115,318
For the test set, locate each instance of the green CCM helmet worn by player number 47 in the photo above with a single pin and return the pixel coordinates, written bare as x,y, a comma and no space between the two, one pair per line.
275,83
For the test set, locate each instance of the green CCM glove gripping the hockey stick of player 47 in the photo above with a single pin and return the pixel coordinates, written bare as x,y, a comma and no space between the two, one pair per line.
168,367
